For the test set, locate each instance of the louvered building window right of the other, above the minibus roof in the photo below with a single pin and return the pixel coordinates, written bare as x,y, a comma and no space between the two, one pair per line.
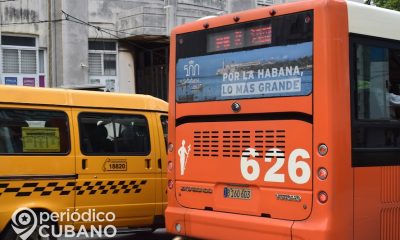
103,63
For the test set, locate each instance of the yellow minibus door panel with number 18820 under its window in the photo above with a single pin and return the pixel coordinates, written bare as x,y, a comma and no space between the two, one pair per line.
119,175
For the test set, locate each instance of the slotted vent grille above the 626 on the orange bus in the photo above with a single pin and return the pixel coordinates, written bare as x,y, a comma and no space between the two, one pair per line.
231,143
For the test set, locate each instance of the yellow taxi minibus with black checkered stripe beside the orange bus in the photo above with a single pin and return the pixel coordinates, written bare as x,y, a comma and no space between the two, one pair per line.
70,158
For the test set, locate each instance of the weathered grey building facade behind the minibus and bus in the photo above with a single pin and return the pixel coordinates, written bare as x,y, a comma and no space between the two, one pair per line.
121,45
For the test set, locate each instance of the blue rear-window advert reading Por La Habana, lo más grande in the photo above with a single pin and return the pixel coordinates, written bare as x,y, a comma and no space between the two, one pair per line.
278,71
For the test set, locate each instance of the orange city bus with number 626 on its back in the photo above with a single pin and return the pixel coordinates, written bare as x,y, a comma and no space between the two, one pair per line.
285,124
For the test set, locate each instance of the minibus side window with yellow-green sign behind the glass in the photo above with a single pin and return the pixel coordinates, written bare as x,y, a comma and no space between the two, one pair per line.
33,132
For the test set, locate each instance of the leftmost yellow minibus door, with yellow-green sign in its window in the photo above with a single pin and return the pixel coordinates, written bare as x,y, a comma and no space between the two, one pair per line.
37,160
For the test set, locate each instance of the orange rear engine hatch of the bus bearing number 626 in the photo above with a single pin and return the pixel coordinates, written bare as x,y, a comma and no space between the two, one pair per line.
263,169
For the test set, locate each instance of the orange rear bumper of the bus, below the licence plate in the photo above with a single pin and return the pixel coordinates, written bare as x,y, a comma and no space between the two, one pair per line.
218,225
